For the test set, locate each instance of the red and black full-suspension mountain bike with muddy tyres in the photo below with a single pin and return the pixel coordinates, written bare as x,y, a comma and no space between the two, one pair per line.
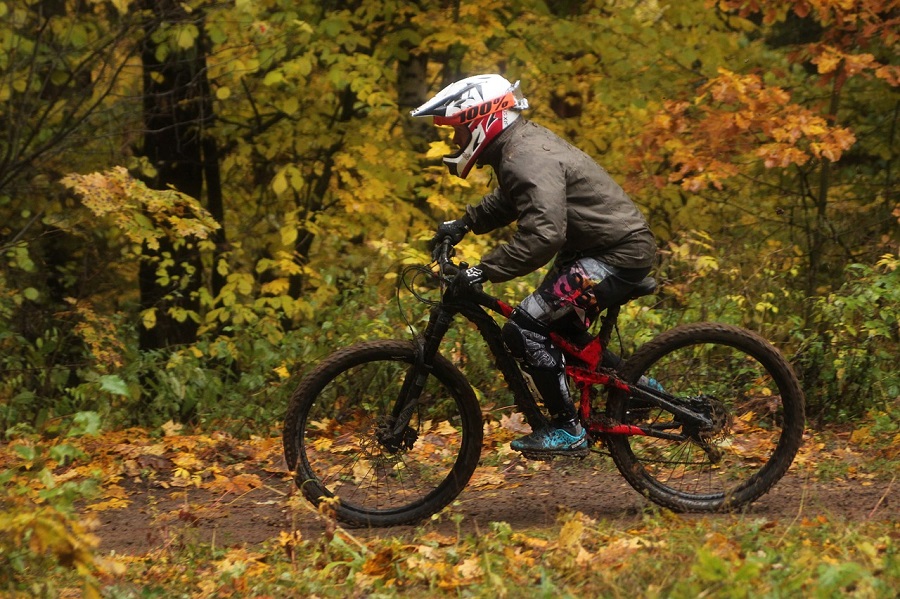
705,417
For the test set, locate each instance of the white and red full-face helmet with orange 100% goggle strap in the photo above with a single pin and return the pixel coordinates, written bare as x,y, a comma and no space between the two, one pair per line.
479,108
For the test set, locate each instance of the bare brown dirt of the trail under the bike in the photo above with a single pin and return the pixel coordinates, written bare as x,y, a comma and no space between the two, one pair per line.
529,499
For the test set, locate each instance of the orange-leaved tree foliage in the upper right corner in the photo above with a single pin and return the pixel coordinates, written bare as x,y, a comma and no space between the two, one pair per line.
819,156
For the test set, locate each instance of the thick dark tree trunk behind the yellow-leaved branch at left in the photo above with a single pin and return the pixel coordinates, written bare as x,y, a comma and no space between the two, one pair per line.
176,108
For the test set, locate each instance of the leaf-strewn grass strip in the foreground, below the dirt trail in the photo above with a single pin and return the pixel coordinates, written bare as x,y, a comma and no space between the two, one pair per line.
663,556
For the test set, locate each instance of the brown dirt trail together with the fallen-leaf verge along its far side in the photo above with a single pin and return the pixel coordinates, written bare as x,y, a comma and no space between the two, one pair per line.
253,499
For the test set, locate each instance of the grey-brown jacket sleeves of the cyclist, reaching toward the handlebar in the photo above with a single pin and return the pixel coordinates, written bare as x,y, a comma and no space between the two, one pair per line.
534,191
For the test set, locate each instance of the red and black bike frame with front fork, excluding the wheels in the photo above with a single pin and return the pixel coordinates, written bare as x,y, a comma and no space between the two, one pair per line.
583,366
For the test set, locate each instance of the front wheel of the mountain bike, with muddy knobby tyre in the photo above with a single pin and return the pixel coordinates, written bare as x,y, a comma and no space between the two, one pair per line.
334,435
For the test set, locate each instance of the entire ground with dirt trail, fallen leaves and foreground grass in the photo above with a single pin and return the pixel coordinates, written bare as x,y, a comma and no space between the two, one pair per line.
171,512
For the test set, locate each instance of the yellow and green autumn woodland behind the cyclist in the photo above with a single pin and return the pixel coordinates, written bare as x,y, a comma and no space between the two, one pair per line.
200,199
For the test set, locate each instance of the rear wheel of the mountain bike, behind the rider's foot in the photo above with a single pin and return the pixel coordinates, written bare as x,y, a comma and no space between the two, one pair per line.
750,391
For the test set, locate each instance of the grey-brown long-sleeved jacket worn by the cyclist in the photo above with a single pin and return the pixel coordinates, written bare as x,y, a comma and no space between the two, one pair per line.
564,203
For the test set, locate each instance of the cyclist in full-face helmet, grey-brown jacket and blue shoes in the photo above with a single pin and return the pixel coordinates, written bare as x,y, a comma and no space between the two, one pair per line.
565,207
